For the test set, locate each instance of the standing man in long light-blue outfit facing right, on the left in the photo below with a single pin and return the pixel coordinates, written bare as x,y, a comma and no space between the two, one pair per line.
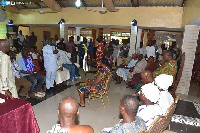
50,63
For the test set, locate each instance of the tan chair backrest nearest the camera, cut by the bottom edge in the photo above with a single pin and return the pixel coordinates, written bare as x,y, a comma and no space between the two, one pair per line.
157,126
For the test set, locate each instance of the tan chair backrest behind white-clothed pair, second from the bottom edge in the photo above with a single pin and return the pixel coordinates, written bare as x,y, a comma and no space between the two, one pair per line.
169,114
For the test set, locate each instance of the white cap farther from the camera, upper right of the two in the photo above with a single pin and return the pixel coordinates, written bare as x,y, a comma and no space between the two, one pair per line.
164,81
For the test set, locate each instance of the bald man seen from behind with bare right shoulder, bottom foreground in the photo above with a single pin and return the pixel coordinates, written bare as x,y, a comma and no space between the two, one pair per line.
67,112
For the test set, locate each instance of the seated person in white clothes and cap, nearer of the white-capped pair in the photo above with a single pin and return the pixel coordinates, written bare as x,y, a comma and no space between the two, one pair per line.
149,111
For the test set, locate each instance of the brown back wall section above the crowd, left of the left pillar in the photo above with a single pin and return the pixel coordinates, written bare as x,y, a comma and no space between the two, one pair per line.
39,33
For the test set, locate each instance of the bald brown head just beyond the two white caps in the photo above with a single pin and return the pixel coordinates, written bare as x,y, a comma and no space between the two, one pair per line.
147,76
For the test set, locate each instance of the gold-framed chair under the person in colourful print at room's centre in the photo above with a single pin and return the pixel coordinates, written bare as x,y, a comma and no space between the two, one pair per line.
100,94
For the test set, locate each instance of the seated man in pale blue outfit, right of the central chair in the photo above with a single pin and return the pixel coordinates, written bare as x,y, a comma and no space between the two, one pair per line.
122,72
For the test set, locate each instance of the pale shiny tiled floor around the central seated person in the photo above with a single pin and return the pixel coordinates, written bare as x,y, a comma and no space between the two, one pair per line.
93,114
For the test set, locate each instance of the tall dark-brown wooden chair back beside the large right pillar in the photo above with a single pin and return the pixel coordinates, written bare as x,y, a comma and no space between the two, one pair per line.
175,83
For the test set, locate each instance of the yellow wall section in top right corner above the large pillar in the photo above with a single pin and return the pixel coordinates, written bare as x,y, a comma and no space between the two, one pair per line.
191,11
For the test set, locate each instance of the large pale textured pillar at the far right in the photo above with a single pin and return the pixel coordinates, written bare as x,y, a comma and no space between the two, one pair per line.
189,47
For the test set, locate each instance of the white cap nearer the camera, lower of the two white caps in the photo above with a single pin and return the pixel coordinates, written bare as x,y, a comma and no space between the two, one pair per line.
151,92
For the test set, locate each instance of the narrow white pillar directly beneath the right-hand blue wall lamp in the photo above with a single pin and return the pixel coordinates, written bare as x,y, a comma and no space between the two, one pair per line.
133,40
